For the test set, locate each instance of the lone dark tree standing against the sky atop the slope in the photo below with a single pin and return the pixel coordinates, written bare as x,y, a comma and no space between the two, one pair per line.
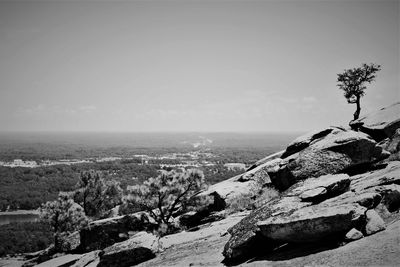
353,83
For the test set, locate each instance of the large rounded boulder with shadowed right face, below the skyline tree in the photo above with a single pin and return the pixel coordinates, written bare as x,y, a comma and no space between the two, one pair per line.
338,151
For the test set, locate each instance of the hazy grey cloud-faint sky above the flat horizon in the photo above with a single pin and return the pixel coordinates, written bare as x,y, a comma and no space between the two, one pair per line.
191,65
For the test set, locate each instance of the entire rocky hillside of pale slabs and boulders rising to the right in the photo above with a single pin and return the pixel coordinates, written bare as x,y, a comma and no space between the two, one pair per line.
339,205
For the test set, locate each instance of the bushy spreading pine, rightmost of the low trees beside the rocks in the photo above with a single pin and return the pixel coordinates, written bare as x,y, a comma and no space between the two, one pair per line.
169,192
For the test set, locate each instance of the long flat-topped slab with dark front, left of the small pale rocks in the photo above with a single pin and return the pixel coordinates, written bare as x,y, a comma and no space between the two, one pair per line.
312,223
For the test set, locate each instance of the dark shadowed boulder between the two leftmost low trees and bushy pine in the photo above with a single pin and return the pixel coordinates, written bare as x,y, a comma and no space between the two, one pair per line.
103,233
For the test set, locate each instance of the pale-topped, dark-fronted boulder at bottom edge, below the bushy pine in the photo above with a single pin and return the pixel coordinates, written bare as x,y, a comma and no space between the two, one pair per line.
141,247
